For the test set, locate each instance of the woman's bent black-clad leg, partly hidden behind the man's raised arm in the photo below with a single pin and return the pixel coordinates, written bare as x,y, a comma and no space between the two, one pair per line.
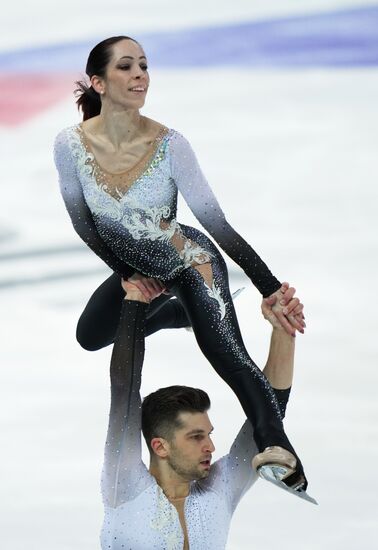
98,323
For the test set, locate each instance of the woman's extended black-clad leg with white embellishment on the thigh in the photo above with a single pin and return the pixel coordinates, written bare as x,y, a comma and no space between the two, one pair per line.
204,293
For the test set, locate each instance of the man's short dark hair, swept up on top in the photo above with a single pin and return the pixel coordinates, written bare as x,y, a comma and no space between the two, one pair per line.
161,409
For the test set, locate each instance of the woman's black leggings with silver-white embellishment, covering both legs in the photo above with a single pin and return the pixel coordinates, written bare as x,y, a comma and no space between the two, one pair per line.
208,308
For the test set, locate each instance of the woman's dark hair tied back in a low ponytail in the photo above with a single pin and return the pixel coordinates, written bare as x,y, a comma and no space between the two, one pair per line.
88,100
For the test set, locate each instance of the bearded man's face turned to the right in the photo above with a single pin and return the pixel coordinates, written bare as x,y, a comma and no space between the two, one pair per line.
191,448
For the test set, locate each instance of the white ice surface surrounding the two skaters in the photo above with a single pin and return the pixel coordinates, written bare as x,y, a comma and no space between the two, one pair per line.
291,153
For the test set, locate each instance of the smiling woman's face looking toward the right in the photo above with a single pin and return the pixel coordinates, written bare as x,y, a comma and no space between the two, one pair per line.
126,80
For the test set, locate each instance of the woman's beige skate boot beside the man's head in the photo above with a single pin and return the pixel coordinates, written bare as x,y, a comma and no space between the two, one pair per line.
276,463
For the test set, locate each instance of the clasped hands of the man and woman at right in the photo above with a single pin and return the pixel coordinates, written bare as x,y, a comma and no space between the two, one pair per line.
282,310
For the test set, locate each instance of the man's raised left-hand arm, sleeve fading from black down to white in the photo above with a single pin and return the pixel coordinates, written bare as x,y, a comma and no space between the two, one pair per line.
123,464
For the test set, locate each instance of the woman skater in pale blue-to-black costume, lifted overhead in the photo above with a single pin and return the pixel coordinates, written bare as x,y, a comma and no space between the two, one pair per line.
120,174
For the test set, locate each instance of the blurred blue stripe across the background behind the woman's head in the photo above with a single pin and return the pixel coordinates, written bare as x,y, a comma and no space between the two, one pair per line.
345,38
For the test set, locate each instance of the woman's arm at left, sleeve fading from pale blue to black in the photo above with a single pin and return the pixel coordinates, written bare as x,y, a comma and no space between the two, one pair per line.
78,210
